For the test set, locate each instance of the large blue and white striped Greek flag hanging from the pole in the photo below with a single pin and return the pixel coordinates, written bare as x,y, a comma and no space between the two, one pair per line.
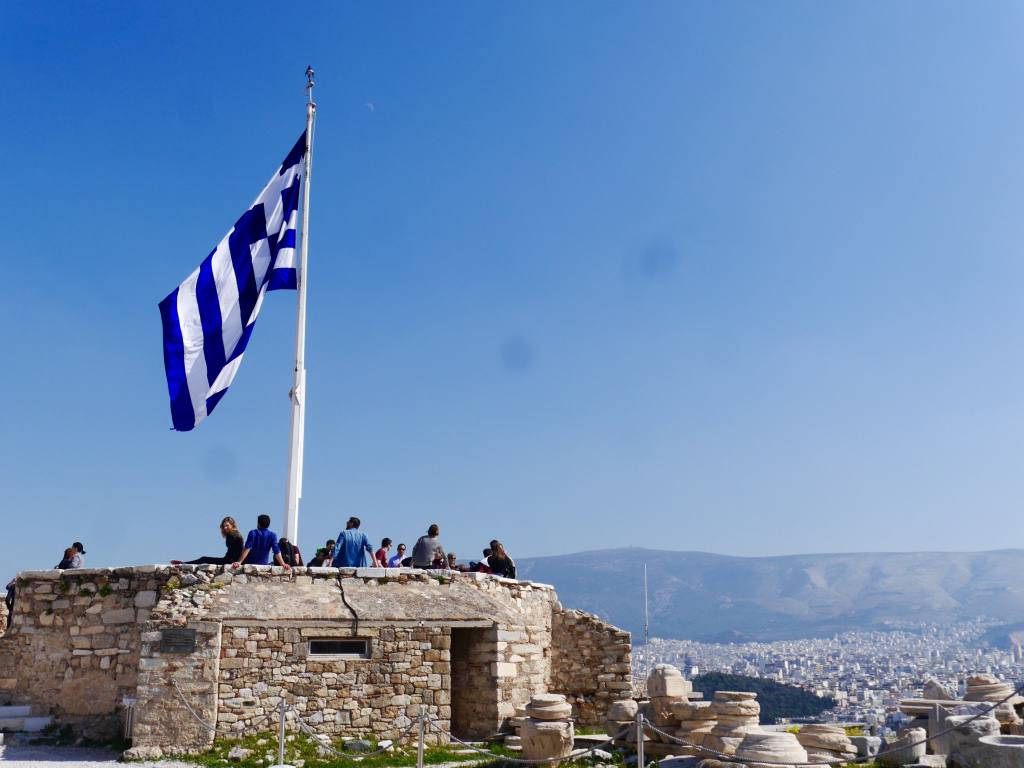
209,318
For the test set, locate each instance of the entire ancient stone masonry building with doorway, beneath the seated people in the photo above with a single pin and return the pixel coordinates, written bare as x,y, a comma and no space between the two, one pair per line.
352,652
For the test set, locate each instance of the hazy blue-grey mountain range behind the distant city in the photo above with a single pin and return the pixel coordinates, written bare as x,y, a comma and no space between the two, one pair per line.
716,599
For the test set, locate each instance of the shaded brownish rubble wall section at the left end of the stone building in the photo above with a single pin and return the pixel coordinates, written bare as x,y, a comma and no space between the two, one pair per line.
74,644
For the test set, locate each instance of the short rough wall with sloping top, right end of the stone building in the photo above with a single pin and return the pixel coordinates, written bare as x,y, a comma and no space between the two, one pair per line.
590,663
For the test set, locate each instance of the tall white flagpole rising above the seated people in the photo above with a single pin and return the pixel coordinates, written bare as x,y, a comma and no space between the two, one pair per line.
298,394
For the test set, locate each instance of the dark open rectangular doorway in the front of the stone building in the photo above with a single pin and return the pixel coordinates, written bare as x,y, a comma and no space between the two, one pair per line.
475,688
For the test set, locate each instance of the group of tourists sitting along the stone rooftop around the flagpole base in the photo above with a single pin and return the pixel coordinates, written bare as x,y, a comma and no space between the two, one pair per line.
351,550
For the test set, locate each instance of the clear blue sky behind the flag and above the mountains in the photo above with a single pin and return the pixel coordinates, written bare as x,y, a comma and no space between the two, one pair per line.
737,277
